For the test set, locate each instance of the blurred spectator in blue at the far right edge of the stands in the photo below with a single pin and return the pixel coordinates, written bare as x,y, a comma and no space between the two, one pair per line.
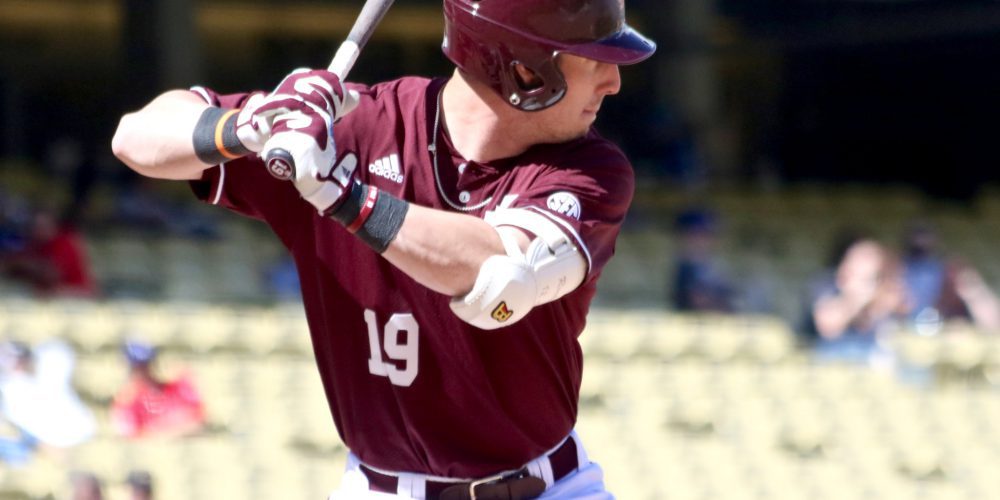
941,289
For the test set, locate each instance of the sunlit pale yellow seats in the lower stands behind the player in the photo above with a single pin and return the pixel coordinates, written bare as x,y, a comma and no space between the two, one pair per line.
674,406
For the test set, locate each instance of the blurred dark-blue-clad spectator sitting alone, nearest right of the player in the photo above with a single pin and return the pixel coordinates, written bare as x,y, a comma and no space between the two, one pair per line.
699,281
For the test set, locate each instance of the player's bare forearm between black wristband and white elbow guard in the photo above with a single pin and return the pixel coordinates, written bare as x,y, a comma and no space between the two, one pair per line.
443,250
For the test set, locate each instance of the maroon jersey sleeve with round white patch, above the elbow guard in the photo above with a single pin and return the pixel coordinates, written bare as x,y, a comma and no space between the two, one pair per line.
587,198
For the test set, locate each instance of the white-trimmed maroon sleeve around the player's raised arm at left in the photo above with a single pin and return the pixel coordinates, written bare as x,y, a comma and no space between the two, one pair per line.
245,187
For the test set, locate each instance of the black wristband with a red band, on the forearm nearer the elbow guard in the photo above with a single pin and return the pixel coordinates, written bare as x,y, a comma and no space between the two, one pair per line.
372,215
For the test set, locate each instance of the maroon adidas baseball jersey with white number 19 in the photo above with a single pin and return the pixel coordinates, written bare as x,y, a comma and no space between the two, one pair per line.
411,386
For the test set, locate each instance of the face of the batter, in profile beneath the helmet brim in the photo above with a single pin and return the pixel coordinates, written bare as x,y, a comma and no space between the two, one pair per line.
588,83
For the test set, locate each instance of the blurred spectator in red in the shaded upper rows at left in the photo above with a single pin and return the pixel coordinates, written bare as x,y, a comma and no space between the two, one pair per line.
53,260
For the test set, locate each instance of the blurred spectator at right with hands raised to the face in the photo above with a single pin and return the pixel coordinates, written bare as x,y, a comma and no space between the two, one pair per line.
863,294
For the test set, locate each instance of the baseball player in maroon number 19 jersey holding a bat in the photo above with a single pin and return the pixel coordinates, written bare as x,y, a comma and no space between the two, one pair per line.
448,233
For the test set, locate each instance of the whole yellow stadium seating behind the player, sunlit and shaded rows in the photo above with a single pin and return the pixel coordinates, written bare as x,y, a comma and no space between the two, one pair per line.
673,406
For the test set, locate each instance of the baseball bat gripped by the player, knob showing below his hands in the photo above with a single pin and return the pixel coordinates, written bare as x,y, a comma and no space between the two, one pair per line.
280,160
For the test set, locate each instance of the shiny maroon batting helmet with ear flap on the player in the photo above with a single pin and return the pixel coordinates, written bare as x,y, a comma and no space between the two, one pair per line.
486,38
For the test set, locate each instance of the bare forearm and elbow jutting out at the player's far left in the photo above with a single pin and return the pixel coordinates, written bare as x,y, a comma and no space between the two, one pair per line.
156,140
